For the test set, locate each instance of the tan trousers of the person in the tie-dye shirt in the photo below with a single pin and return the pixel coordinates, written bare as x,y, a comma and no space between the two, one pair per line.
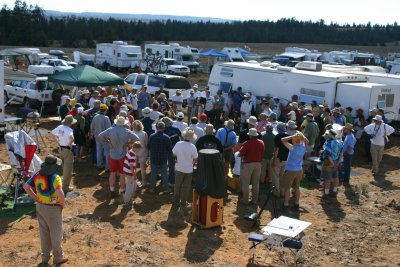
51,231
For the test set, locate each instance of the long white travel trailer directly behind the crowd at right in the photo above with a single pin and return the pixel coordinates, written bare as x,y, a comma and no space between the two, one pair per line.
308,81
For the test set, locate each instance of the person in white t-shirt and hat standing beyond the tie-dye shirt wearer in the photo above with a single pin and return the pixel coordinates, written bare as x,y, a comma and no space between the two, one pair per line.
65,138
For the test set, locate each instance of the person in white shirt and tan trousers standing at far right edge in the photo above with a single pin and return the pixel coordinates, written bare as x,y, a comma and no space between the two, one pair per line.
379,132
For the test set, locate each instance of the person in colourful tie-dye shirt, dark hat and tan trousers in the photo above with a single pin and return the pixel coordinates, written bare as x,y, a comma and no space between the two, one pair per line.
45,187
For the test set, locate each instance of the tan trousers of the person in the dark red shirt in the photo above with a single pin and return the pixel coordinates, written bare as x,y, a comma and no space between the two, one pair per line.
250,173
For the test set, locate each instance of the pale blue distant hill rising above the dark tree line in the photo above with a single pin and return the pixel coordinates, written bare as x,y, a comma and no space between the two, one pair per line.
142,17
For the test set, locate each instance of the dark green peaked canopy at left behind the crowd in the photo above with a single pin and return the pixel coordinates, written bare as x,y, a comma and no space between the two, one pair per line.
84,76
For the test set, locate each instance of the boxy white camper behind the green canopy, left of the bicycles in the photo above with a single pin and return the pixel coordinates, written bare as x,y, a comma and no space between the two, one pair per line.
118,55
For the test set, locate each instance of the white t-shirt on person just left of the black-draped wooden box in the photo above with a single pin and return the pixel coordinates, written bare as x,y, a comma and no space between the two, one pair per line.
185,152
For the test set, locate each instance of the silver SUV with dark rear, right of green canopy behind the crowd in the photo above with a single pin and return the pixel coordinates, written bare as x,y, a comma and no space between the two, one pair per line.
171,83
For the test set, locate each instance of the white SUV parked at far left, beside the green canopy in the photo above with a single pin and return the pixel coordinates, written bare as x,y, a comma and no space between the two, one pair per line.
32,94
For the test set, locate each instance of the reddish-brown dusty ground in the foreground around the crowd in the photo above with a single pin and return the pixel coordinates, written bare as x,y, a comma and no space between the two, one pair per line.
360,228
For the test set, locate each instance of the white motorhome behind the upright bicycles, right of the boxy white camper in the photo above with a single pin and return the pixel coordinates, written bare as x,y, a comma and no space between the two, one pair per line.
173,50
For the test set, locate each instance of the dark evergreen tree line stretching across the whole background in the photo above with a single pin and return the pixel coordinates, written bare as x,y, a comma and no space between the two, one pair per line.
27,25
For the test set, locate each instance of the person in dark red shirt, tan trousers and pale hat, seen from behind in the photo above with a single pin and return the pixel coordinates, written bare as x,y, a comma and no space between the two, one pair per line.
252,153
